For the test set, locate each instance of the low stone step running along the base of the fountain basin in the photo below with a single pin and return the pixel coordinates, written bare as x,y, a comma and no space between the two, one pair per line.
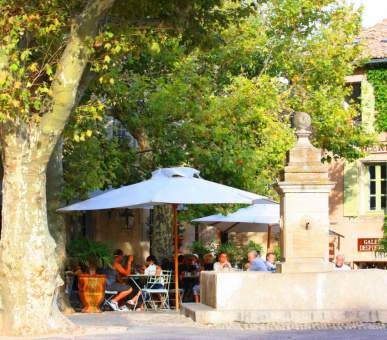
204,315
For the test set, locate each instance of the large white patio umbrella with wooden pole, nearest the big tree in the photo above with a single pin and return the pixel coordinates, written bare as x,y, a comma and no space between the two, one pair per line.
169,186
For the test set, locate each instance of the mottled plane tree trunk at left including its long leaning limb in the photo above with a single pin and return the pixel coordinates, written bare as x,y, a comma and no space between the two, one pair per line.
29,277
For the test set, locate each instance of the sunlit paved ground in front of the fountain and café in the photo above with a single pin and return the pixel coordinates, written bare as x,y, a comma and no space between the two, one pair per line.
171,325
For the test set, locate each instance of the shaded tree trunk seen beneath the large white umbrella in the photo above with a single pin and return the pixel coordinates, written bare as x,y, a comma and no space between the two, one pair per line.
162,236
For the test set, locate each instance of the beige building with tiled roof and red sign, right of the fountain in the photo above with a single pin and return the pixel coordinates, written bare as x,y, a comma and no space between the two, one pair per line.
358,201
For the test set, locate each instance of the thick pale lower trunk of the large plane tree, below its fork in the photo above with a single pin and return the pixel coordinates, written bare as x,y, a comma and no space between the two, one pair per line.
28,271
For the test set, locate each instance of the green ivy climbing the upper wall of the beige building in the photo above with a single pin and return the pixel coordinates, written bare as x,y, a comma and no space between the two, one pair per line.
377,76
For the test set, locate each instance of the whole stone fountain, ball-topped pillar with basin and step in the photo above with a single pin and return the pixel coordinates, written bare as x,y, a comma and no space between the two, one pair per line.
305,287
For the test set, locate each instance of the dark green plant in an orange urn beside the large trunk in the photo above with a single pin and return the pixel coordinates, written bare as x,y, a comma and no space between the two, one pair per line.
94,255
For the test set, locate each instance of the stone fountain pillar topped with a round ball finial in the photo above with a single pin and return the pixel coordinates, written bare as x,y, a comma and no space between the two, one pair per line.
304,189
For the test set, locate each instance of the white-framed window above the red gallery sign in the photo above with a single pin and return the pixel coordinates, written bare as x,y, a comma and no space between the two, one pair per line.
376,187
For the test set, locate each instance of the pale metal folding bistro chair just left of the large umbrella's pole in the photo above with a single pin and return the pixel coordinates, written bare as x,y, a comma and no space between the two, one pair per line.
149,293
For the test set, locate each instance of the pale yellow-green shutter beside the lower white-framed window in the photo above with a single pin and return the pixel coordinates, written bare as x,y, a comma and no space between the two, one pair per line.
351,206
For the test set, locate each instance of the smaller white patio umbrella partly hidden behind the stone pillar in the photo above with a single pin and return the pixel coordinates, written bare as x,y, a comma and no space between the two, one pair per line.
255,218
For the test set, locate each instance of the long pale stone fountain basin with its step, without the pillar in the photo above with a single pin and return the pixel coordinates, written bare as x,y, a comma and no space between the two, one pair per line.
339,296
